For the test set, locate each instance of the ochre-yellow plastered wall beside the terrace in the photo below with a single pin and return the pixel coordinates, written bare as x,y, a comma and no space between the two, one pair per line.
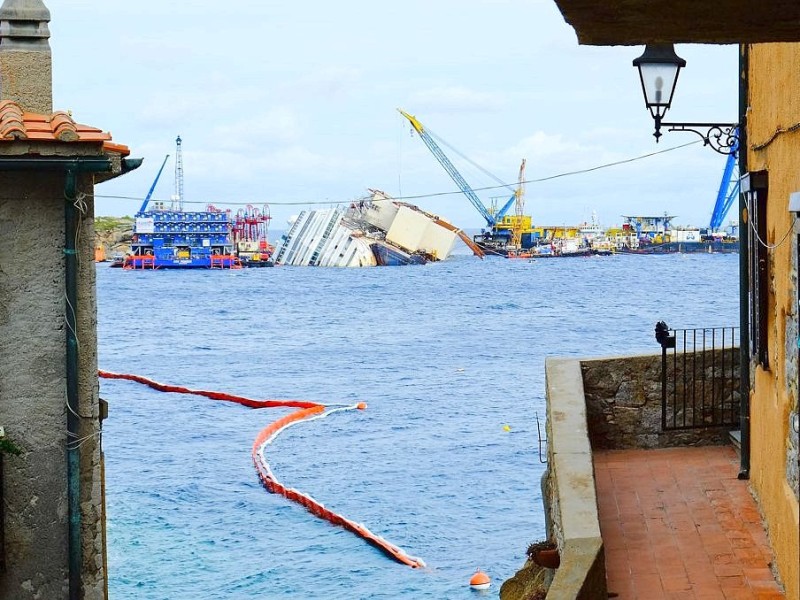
774,103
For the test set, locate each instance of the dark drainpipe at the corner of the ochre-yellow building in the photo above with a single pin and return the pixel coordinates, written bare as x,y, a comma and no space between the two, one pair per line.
744,291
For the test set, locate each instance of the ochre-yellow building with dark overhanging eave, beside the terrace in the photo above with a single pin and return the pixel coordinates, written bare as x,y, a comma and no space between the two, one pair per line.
768,34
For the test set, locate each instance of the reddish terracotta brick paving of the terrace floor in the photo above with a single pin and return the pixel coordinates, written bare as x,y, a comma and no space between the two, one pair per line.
678,524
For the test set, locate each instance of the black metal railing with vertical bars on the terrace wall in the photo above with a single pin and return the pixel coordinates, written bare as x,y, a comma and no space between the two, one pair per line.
699,377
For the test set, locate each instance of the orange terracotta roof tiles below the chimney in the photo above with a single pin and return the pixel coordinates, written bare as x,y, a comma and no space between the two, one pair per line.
15,124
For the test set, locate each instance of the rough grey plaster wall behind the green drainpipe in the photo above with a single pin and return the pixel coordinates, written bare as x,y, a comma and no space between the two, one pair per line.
32,389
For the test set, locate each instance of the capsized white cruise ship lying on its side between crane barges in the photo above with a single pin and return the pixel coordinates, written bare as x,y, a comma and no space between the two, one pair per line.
374,231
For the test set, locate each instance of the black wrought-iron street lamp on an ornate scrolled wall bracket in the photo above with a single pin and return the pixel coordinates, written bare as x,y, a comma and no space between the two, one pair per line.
659,68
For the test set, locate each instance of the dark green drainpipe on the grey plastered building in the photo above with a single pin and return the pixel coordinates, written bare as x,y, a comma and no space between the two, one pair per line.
73,418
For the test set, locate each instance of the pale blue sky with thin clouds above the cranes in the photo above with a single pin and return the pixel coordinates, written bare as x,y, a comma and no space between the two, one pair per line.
294,104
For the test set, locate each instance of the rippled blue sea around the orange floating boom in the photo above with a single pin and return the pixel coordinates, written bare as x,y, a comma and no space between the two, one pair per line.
444,462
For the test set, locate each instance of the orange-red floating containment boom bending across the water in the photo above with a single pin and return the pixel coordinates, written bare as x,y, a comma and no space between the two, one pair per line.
306,411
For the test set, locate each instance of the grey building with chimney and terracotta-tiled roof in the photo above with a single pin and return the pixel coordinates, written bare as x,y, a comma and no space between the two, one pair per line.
52,544
